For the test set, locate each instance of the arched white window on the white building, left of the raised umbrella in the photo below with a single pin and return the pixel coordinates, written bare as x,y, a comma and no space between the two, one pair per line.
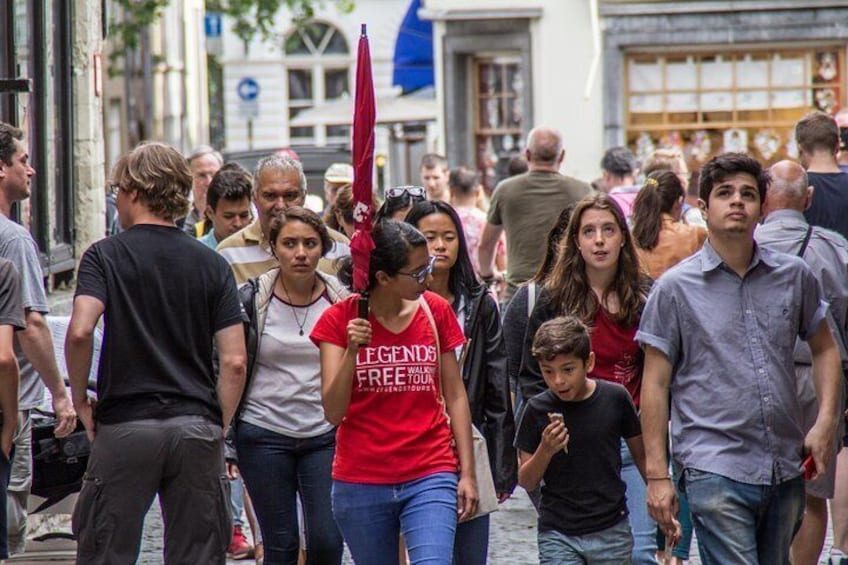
318,67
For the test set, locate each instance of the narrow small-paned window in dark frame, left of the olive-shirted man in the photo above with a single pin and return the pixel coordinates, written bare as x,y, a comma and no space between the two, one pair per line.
498,108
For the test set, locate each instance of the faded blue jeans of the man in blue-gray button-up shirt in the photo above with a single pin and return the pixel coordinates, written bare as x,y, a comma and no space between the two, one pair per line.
741,523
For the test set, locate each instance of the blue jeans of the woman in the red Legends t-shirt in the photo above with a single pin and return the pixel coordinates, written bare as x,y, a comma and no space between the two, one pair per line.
371,518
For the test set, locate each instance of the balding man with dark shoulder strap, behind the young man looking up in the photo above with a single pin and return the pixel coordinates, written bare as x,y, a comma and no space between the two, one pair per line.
826,252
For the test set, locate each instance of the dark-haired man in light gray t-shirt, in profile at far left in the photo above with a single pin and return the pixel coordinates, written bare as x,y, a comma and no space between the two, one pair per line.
34,345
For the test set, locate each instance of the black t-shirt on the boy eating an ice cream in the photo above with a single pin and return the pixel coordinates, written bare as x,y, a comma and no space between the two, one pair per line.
582,491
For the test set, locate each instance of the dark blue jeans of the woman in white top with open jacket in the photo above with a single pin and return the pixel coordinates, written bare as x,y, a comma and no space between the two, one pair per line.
277,468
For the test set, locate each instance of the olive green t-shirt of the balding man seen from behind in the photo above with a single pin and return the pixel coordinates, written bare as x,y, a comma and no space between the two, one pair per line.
527,206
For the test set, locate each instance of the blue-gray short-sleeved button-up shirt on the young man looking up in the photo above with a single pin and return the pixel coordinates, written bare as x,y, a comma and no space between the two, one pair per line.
729,339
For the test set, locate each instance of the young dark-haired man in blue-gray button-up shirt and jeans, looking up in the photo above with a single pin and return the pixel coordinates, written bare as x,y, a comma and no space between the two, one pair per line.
719,333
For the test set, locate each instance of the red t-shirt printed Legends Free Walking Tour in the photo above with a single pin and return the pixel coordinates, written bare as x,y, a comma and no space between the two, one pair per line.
395,429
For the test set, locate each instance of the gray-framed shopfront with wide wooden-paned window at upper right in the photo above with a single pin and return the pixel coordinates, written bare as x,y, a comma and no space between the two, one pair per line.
708,77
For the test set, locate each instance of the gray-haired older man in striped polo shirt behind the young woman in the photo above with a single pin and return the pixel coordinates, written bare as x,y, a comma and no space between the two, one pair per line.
278,183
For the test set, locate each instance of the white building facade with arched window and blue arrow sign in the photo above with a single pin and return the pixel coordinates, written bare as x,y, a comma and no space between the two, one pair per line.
297,90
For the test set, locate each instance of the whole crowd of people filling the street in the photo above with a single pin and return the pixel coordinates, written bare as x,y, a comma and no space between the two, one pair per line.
667,362
